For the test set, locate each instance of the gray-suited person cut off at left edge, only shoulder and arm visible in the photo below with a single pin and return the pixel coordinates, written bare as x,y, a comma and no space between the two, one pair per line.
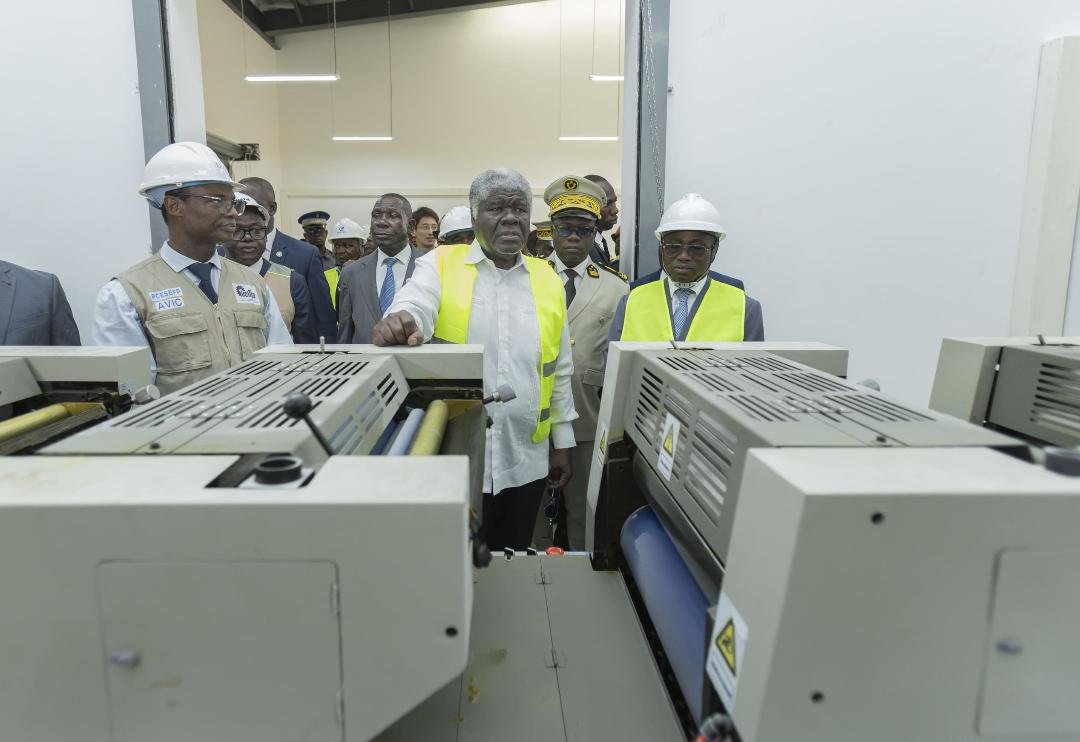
34,311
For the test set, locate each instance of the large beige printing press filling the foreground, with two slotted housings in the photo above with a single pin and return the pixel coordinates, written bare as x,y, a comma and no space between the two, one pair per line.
774,555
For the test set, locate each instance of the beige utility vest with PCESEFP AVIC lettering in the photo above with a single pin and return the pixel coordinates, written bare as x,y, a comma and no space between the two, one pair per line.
191,338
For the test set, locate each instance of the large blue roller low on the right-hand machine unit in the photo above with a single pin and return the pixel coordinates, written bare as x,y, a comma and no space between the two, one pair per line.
678,608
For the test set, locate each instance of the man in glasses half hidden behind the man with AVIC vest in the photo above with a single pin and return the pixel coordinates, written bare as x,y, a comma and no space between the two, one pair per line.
289,288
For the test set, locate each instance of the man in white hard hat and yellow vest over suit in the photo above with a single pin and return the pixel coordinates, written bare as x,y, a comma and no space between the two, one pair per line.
686,301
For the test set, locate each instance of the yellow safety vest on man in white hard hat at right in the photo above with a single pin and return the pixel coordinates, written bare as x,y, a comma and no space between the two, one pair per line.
720,316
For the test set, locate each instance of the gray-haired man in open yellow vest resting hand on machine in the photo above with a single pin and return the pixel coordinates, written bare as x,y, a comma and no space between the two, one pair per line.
489,293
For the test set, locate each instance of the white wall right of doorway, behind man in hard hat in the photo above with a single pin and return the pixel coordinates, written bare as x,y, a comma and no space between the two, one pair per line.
869,159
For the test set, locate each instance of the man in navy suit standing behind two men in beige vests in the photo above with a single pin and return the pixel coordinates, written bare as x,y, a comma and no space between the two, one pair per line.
300,257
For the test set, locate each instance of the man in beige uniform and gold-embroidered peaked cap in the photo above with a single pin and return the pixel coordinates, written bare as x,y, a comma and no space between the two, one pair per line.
592,294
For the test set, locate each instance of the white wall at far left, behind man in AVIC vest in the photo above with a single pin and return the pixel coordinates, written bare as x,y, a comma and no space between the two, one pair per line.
72,145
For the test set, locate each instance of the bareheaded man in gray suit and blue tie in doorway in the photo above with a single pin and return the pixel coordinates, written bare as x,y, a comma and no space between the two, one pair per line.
368,287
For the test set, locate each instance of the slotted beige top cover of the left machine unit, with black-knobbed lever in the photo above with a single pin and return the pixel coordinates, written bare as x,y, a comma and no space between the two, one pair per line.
239,411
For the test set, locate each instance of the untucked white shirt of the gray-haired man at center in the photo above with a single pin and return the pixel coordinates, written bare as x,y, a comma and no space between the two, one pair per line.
505,322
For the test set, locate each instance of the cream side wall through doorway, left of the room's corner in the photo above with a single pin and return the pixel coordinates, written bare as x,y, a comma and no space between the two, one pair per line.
238,111
